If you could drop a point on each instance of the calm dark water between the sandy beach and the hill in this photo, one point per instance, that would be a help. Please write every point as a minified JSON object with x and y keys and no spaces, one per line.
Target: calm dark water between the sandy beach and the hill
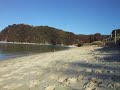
{"x":13,"y":50}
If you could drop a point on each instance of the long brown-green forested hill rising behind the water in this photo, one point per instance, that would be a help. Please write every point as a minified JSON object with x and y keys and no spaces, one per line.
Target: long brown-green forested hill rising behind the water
{"x":44,"y":34}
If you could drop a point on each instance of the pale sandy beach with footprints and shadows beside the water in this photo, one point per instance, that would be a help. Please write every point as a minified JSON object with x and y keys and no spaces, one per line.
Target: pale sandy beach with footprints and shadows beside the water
{"x":79,"y":68}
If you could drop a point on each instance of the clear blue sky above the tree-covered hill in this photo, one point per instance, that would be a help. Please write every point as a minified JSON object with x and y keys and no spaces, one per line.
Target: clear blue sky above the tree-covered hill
{"x":78,"y":16}
